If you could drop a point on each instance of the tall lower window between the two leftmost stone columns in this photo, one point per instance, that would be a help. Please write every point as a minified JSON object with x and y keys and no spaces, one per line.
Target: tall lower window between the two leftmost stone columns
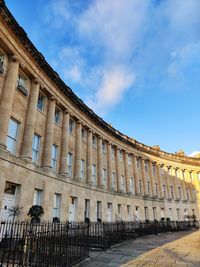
{"x":11,"y":142}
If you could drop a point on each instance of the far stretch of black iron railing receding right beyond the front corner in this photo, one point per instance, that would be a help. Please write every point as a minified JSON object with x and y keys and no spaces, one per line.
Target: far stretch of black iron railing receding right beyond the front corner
{"x":105,"y":235}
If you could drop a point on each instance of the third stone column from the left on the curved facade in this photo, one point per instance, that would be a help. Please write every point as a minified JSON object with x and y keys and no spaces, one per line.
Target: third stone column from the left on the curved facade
{"x":48,"y":142}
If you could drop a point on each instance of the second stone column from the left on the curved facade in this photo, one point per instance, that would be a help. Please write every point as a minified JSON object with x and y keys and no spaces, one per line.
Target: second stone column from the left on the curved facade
{"x":30,"y":121}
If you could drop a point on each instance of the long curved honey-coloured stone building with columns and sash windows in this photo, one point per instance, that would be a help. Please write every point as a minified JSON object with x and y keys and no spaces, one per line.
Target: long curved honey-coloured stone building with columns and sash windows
{"x":56,"y":152}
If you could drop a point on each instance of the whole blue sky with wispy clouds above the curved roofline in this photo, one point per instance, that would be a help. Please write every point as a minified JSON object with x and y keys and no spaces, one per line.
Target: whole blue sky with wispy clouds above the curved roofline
{"x":136,"y":63}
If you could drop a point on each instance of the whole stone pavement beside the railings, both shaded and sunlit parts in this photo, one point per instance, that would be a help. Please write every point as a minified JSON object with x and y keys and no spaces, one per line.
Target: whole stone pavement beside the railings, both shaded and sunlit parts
{"x":177,"y":249}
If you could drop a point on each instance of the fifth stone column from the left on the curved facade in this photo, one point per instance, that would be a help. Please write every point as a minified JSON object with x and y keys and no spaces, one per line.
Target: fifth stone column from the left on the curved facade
{"x":78,"y":151}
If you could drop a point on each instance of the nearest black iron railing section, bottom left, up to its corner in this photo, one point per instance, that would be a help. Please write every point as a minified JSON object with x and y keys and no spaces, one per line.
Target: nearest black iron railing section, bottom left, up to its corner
{"x":46,"y":244}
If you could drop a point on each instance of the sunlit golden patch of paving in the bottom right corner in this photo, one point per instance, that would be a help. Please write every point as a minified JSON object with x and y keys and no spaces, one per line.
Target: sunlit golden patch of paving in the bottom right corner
{"x":184,"y":252}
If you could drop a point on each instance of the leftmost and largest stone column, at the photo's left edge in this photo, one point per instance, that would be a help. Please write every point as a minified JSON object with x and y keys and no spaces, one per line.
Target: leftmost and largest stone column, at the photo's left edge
{"x":7,"y":98}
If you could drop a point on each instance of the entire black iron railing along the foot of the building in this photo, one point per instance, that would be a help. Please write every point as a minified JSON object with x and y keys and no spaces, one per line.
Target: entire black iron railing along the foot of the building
{"x":66,"y":244}
